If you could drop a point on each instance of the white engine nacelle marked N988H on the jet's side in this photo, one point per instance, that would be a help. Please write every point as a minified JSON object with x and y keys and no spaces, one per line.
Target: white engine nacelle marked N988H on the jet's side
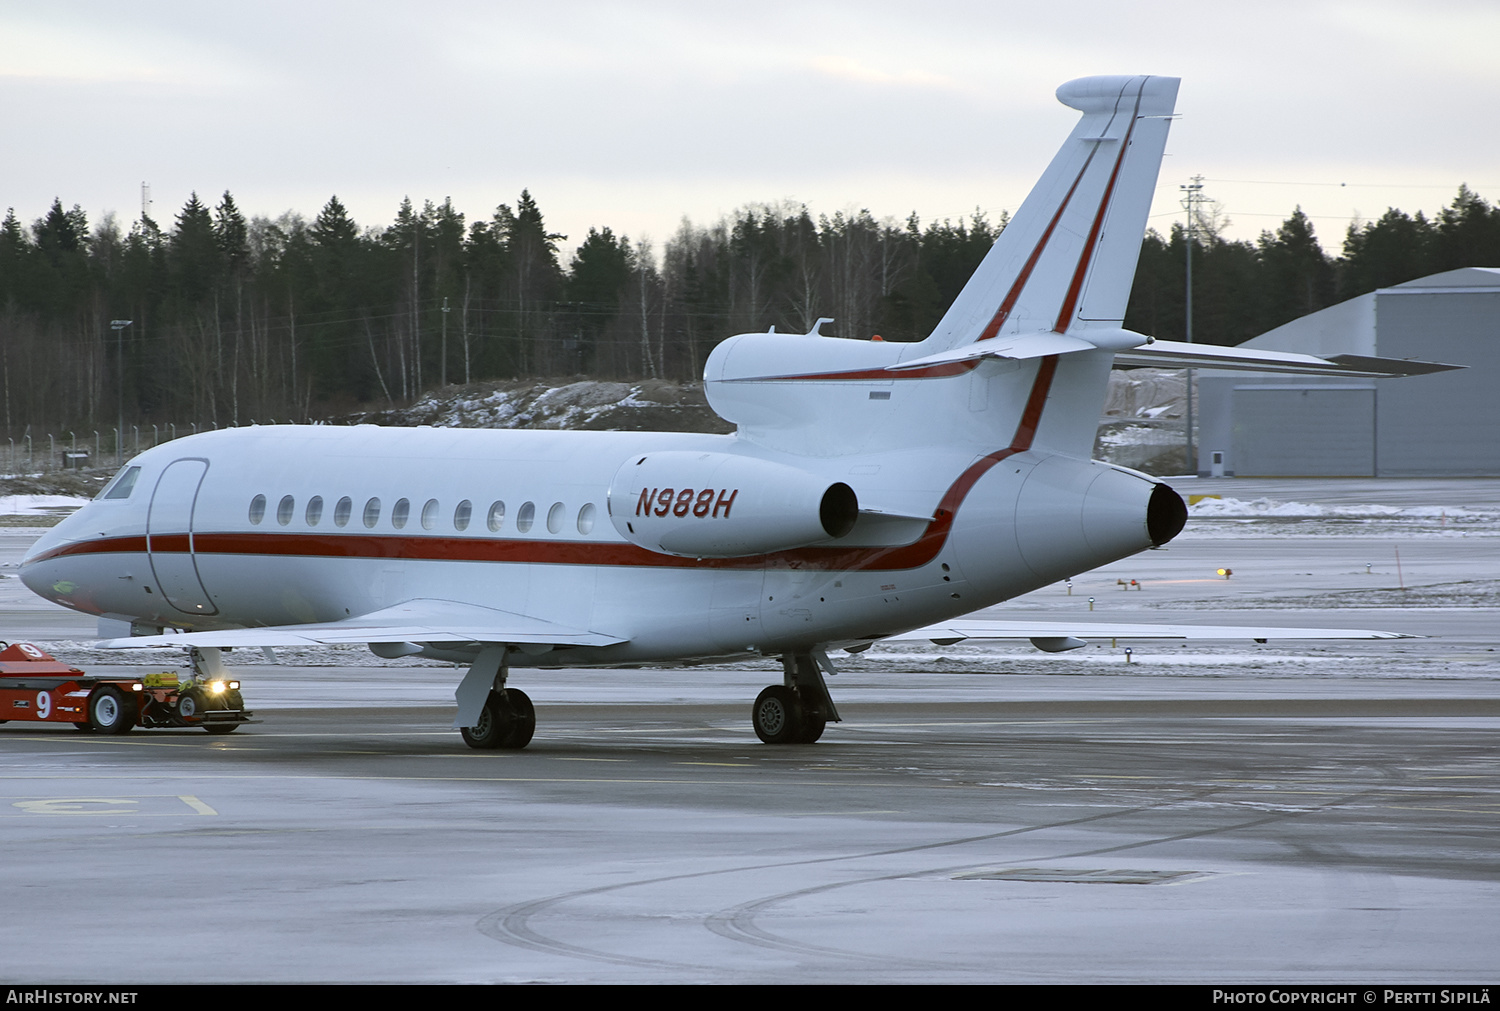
{"x":724,"y":506}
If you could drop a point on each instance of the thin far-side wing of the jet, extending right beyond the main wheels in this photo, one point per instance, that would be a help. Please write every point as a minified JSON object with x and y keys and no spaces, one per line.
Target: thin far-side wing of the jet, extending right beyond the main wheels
{"x":1055,"y":637}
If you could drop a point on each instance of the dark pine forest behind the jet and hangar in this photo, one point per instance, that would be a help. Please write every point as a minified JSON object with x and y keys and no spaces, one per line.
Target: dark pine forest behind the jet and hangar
{"x":236,"y":320}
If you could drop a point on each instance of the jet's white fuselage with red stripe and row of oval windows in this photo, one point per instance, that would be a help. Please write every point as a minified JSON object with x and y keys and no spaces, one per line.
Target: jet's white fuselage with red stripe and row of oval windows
{"x":302,"y":524}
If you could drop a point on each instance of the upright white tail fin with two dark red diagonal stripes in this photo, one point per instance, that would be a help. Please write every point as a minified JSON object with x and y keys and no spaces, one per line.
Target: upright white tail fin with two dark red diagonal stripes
{"x":1067,"y":260}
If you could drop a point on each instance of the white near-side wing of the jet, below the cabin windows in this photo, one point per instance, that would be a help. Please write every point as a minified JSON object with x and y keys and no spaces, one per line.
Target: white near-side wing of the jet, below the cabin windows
{"x":412,"y":622}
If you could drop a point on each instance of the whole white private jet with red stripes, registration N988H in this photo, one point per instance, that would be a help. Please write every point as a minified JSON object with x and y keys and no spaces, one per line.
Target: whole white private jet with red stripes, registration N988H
{"x":872,"y":490}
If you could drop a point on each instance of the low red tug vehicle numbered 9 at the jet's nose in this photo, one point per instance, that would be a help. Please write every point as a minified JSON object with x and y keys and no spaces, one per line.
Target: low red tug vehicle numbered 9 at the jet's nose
{"x":37,"y":688}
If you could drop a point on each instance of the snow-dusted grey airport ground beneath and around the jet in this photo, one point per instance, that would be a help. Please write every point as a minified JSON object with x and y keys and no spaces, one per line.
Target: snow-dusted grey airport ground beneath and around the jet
{"x":1220,"y":814}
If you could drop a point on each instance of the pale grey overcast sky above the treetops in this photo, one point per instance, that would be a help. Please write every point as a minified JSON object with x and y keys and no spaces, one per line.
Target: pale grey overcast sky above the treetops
{"x":637,"y":115}
